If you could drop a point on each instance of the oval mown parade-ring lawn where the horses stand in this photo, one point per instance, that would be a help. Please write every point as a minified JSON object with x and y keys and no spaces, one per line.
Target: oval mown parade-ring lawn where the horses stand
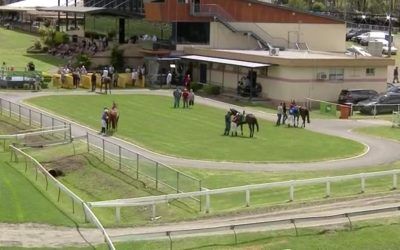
{"x":151,"y":121}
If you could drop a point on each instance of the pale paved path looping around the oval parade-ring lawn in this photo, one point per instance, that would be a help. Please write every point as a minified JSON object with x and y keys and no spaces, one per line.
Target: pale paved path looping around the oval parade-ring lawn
{"x":378,"y":150}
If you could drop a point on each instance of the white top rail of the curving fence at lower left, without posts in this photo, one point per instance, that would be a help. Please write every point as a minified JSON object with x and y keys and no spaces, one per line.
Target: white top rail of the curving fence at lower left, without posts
{"x":71,"y":194}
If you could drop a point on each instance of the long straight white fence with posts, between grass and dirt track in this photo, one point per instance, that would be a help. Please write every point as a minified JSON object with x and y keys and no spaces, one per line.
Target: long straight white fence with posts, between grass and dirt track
{"x":206,"y":193}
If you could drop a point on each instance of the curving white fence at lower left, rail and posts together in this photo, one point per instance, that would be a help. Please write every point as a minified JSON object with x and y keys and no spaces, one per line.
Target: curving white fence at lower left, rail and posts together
{"x":61,"y":189}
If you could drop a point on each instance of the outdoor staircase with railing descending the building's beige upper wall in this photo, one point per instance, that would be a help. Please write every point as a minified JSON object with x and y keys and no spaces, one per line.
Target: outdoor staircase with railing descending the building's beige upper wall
{"x":265,"y":40}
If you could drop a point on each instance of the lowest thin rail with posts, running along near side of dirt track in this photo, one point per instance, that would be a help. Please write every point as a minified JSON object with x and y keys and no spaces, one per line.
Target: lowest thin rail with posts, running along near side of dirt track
{"x":265,"y":225}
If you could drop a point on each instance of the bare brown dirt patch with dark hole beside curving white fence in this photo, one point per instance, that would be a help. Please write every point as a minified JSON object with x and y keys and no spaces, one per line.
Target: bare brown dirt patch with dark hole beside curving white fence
{"x":66,"y":165}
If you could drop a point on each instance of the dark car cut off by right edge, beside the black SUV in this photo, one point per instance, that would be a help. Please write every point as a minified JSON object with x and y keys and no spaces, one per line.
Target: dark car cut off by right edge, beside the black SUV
{"x":386,"y":103}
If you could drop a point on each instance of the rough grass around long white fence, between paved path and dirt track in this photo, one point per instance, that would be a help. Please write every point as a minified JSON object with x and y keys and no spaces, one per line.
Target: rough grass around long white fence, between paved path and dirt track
{"x":91,"y":179}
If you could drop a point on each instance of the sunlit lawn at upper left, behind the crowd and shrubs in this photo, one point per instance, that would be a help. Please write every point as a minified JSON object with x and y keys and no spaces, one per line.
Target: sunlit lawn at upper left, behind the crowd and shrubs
{"x":13,"y":52}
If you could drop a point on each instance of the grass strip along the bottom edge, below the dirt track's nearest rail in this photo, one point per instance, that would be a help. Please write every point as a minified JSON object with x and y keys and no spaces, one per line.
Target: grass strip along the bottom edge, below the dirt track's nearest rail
{"x":370,"y":235}
